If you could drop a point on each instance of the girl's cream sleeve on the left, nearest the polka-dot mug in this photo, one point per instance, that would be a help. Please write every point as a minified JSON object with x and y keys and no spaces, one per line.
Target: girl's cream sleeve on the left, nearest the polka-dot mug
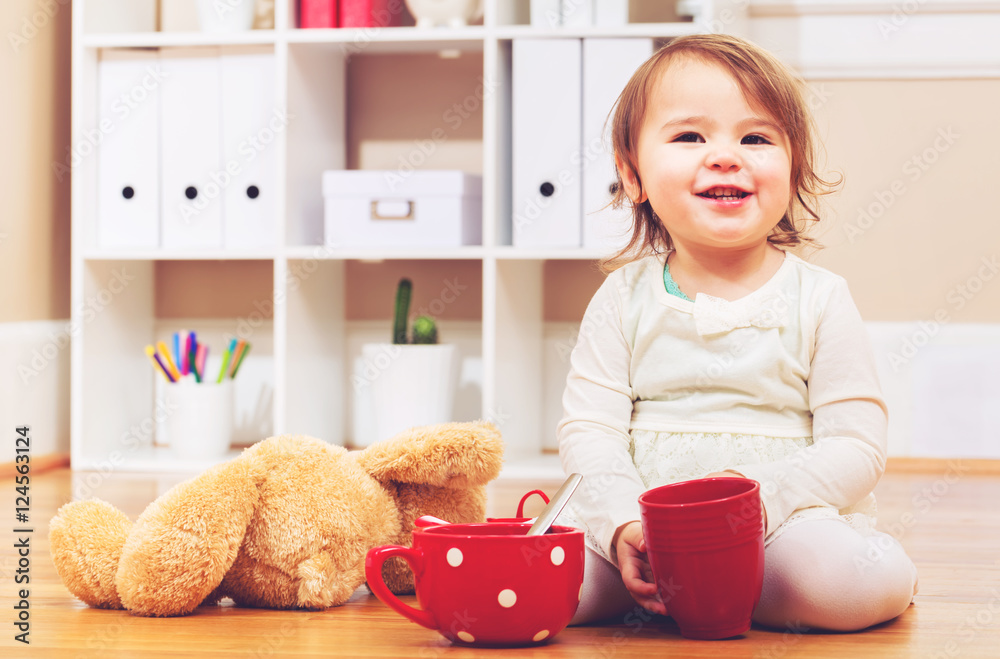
{"x":594,"y":431}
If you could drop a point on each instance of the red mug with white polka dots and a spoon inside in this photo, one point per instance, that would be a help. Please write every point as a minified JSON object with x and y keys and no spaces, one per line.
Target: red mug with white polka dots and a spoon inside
{"x":488,"y":584}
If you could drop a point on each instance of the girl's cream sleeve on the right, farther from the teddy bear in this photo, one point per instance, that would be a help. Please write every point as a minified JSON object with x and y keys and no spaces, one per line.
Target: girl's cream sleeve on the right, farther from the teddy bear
{"x":848,"y":453}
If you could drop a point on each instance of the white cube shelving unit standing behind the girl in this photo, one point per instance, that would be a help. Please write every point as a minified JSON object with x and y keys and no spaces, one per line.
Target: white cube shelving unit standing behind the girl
{"x":113,"y":292}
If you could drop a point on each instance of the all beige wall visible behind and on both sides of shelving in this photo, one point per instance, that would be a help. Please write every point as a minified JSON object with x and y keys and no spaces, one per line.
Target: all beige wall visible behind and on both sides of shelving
{"x":938,"y":225}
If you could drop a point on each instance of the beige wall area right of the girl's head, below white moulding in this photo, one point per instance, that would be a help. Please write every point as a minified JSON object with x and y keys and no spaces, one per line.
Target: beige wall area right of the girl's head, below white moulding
{"x":926,"y":152}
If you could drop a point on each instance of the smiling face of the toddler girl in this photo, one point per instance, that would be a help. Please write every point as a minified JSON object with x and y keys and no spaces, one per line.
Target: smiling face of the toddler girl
{"x":717,"y":173}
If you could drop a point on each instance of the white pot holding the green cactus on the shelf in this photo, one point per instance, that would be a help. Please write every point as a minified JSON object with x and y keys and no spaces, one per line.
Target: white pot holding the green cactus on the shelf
{"x":408,"y":385}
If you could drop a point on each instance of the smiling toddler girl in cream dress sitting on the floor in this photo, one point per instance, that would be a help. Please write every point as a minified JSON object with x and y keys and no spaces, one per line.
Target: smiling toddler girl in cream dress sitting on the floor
{"x":712,"y":351}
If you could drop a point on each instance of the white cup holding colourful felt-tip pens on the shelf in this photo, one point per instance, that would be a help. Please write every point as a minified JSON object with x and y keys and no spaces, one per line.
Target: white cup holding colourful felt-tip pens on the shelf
{"x":199,"y":418}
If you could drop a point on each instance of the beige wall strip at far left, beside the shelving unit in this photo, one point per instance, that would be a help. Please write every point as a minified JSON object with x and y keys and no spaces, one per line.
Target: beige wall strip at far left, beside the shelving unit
{"x":34,"y":116}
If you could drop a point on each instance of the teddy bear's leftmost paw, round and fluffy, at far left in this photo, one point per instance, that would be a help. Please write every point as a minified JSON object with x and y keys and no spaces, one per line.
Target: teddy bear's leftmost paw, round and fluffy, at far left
{"x":86,"y":540}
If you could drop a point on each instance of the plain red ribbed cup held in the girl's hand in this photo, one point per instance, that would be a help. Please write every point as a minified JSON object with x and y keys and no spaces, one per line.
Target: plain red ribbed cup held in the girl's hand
{"x":705,"y":544}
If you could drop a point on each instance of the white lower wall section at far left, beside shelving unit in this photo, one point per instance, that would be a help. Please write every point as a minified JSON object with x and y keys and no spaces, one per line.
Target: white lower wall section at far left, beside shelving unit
{"x":35,"y":390}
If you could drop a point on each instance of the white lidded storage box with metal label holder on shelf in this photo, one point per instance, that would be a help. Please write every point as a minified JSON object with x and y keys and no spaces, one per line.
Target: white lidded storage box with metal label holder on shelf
{"x":391,"y":209}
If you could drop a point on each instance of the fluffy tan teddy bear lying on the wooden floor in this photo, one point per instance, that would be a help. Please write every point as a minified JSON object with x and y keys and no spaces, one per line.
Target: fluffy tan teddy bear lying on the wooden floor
{"x":285,"y":525}
